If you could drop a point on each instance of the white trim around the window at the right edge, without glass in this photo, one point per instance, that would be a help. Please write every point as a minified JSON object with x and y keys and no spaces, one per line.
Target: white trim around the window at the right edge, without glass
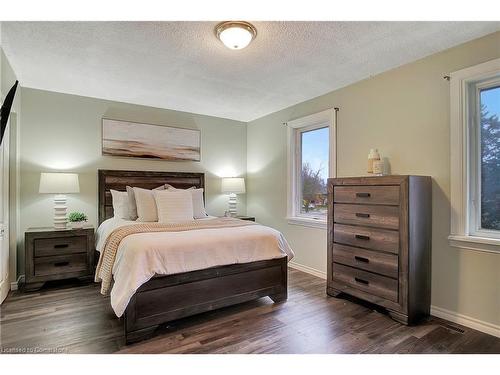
{"x":461,"y":156}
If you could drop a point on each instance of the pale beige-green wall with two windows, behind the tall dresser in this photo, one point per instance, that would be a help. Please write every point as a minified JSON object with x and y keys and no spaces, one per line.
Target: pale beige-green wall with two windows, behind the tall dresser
{"x":405,"y":114}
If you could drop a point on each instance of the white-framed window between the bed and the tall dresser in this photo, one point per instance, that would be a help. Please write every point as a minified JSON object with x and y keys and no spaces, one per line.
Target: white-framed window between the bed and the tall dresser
{"x":310,"y":162}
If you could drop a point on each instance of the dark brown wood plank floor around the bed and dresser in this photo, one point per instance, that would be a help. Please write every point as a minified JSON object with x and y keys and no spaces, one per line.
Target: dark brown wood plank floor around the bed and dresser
{"x":75,"y":318}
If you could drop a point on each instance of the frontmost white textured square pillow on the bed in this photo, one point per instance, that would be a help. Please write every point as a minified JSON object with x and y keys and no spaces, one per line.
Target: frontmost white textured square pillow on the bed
{"x":174,"y":206}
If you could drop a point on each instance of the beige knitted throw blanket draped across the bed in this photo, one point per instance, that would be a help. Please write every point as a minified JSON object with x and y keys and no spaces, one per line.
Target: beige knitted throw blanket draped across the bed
{"x":108,"y":255}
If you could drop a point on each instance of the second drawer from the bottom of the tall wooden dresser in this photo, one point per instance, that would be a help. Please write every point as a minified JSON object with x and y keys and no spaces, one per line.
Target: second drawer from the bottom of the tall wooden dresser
{"x":368,"y":260}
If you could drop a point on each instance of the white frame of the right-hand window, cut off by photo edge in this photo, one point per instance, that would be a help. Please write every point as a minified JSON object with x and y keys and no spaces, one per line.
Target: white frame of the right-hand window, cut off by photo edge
{"x":465,"y":158}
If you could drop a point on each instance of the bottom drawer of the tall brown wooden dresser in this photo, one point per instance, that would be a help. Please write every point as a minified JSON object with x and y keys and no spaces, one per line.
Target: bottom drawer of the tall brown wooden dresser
{"x":381,"y":286}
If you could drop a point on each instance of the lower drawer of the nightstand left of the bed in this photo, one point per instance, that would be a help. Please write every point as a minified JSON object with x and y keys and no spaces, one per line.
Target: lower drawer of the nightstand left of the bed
{"x":55,"y":265}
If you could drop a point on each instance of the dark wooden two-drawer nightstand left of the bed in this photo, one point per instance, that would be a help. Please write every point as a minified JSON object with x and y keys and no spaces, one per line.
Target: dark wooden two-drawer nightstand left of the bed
{"x":56,"y":254}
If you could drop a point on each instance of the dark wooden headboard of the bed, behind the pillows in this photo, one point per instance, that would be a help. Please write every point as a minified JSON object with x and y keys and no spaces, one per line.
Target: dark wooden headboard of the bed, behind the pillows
{"x":119,"y":180}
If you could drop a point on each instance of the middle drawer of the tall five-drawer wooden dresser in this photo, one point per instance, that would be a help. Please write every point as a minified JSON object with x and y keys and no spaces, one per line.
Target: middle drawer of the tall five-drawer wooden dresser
{"x":370,"y":238}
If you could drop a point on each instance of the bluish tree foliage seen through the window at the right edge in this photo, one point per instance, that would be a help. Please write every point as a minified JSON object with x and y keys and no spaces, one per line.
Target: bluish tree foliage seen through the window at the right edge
{"x":490,"y":170}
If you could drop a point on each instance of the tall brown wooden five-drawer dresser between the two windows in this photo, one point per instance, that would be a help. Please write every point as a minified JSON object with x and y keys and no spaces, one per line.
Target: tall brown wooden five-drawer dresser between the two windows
{"x":379,"y":242}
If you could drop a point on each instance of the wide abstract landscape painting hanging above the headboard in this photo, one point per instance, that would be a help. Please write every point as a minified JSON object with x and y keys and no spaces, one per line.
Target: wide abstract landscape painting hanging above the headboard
{"x":132,"y":139}
